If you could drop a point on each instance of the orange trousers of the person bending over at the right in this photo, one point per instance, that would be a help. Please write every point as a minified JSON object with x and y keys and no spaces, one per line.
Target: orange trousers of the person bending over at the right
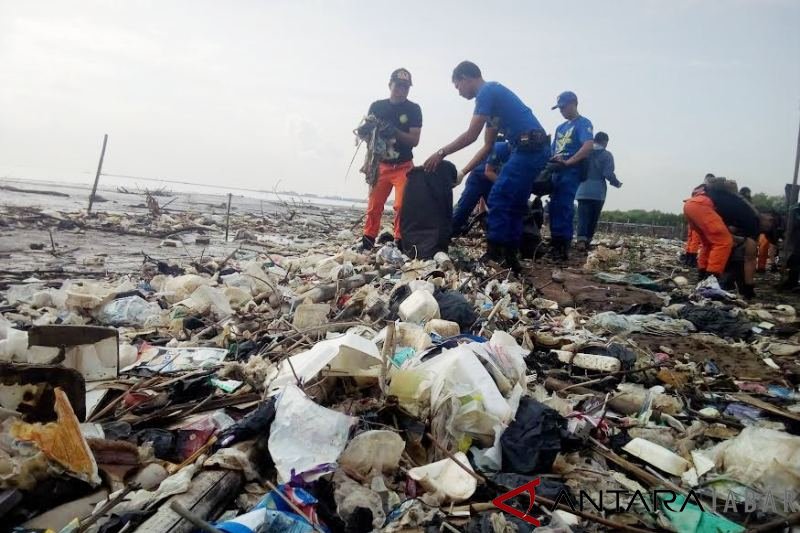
{"x":716,"y":242}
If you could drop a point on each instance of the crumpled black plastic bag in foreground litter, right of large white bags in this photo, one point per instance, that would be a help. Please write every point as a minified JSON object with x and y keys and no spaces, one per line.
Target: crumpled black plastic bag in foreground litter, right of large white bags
{"x":532,"y":441}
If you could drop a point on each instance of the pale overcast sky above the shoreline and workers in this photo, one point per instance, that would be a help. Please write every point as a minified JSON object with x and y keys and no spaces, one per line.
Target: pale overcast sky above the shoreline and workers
{"x":250,"y":93}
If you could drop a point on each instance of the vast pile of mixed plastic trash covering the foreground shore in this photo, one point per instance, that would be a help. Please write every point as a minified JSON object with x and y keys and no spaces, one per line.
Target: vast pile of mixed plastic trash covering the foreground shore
{"x":325,"y":390}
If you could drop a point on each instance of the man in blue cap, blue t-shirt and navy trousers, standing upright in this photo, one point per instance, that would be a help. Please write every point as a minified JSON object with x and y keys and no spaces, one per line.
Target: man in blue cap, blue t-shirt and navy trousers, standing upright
{"x":572,"y":144}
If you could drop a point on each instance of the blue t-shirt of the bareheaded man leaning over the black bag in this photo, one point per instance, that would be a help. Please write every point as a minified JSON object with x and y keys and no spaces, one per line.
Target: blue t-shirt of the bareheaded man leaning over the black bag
{"x":505,"y":110}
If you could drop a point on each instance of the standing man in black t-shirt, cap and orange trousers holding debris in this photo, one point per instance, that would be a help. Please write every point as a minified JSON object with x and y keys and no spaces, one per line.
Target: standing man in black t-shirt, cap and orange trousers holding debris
{"x":406,"y":117}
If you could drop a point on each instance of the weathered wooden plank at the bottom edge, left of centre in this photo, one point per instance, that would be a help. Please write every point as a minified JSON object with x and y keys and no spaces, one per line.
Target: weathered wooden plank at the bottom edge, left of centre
{"x":209,"y":493}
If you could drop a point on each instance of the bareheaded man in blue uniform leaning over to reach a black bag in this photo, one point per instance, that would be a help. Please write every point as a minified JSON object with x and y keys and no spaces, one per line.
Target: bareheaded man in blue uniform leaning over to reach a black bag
{"x":499,"y":109}
